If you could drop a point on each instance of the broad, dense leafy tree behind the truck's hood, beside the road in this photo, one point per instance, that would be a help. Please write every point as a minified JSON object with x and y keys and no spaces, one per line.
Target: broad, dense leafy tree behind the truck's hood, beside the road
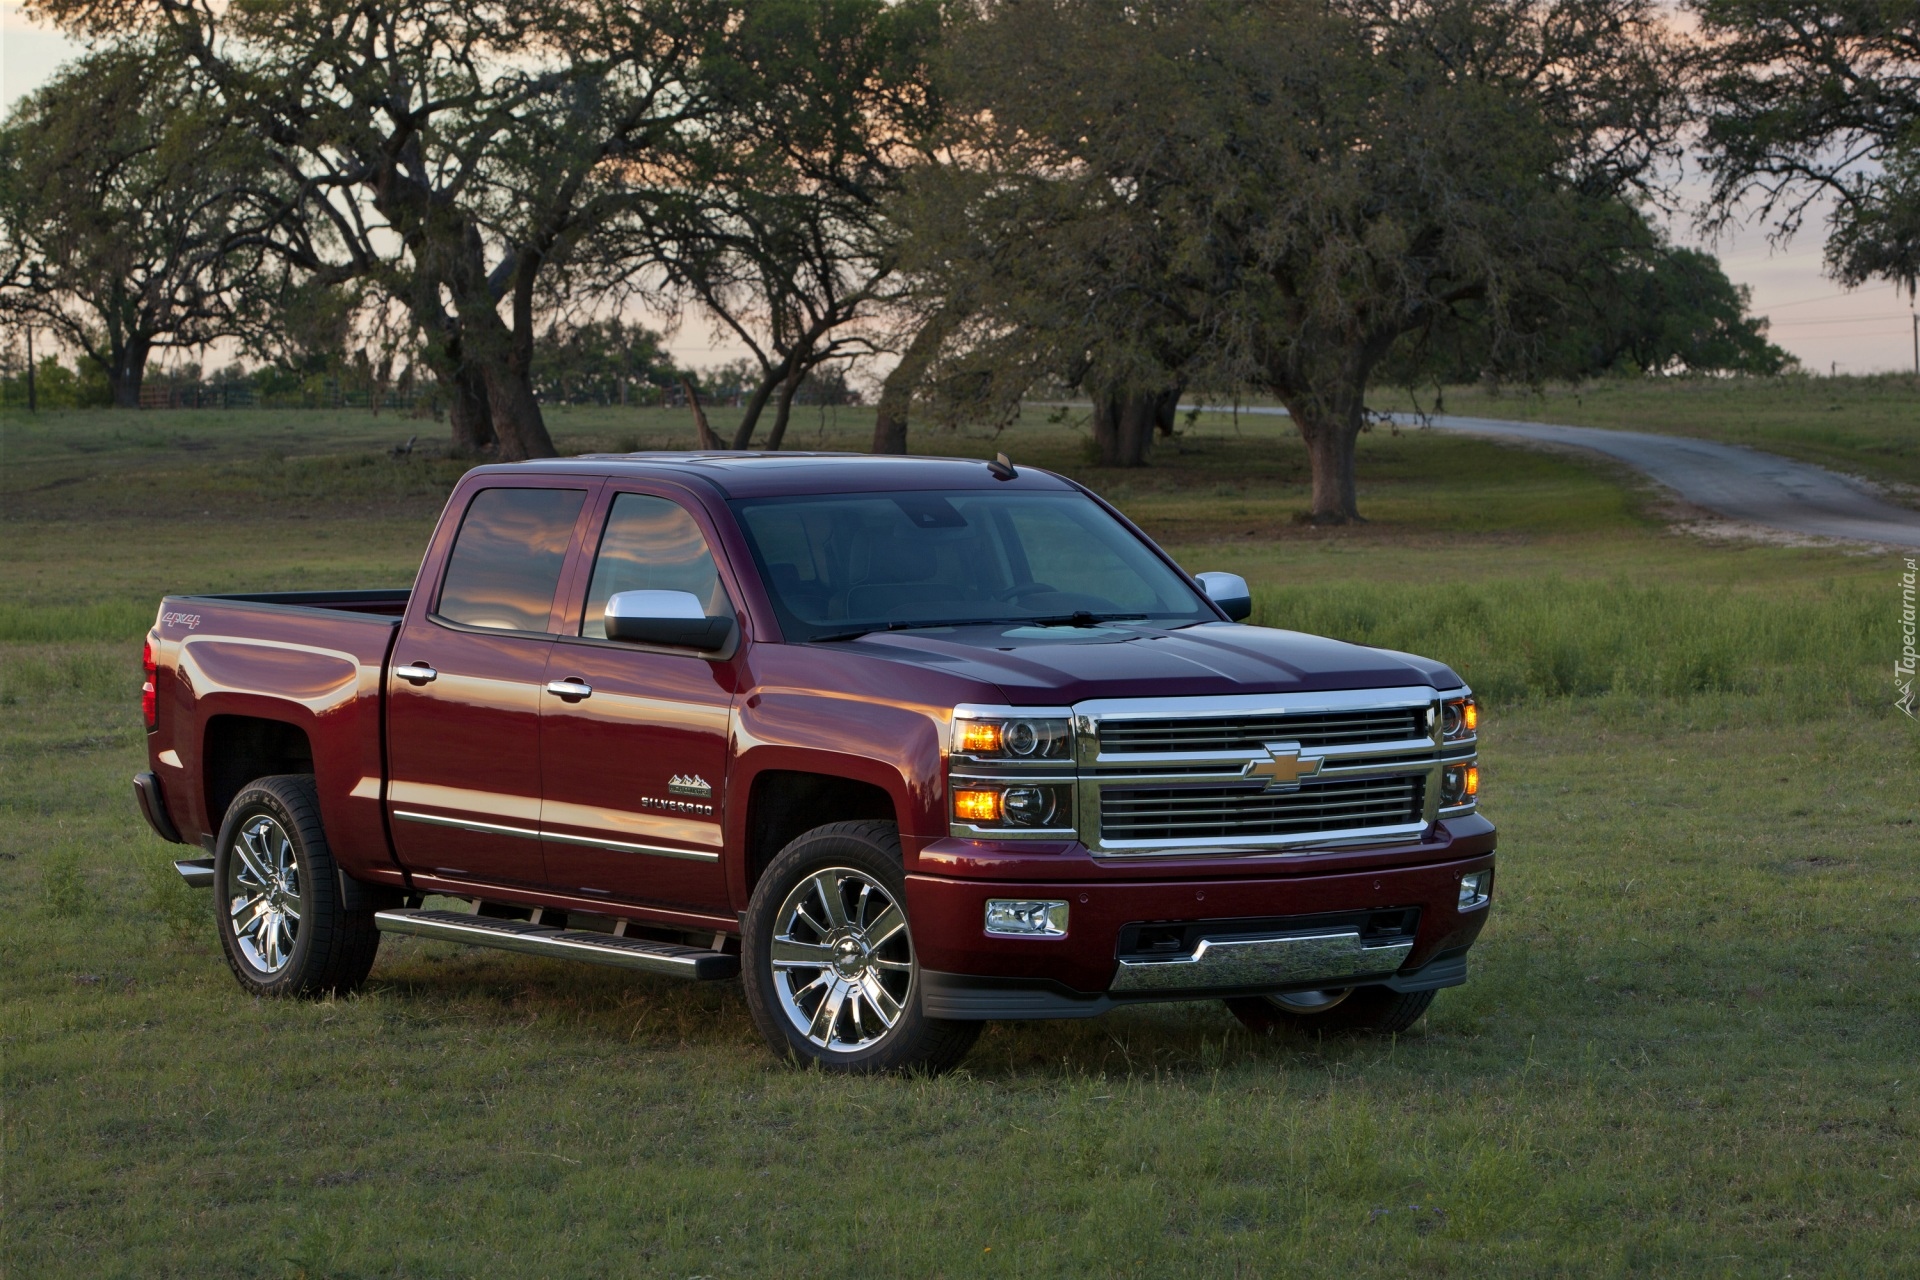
{"x":1280,"y":193}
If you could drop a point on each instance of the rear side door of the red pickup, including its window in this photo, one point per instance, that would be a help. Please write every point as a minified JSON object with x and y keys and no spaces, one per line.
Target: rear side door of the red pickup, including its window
{"x":466,"y":692}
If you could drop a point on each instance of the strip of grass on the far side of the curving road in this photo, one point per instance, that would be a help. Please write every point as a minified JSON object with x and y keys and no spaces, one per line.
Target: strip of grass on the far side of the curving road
{"x":1863,"y":427}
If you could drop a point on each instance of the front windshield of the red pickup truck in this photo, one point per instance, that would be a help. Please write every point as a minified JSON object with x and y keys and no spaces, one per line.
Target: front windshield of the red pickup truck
{"x":852,"y":563}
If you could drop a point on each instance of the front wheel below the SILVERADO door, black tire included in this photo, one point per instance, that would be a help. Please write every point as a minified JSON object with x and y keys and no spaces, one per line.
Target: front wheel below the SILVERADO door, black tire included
{"x":863,"y":861}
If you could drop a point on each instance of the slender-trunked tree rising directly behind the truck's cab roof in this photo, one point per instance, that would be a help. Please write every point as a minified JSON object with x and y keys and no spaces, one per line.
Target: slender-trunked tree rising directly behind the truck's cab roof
{"x":779,"y":231}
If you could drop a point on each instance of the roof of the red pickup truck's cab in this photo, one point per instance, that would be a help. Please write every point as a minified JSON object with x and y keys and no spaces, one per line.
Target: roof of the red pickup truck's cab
{"x":777,"y":475}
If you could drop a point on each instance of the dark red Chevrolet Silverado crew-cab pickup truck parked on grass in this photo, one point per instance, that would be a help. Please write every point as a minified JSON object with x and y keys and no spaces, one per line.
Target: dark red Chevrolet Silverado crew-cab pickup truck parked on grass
{"x":903,"y":744}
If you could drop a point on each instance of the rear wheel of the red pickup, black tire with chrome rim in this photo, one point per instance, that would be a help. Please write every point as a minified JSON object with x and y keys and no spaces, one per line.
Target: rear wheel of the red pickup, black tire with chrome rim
{"x":325,"y":949}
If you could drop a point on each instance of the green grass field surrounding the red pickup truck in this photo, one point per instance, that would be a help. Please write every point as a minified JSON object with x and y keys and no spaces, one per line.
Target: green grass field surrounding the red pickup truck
{"x":1689,"y":1047}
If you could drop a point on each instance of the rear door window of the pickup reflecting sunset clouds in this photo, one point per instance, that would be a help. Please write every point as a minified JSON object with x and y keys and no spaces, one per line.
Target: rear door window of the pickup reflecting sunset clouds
{"x":508,"y":559}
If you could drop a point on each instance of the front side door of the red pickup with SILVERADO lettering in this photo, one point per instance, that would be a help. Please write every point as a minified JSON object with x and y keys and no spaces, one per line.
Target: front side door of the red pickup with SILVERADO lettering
{"x":635,"y":759}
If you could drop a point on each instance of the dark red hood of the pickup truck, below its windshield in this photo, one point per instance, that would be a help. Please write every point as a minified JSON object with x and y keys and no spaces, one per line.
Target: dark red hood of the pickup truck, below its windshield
{"x":1059,"y":667}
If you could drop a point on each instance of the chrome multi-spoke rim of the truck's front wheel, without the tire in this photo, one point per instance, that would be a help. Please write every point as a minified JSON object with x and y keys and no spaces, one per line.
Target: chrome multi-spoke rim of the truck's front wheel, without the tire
{"x":844,"y":960}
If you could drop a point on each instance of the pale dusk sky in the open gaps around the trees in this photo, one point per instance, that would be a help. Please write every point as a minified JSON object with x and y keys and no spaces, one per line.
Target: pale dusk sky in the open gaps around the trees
{"x":1829,"y":329}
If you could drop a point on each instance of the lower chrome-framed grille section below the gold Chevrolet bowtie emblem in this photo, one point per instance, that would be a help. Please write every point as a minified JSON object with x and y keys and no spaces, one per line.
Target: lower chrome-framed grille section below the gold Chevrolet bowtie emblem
{"x":1241,"y":813}
